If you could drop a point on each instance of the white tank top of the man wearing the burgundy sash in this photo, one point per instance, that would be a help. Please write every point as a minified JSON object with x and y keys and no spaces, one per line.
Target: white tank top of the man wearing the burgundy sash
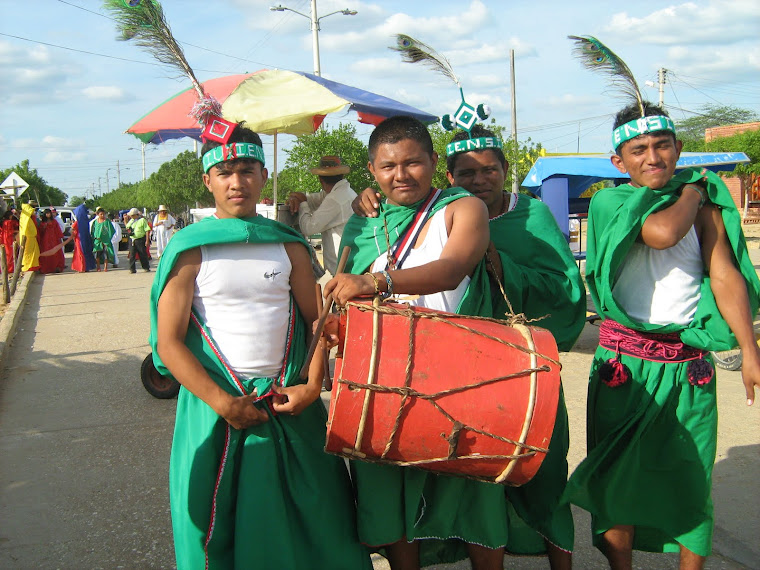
{"x":661,"y":286}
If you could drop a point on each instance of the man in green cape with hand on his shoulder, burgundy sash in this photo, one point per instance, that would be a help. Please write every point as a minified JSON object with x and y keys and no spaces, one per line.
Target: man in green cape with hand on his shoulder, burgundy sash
{"x":668,"y":270}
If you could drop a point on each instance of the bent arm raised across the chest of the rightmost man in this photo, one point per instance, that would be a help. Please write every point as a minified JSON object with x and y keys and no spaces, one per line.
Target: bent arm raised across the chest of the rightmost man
{"x":667,"y":227}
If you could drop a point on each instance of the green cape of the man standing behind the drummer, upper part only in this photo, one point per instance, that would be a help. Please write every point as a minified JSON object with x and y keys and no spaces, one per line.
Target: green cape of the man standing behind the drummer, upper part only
{"x":540,"y":275}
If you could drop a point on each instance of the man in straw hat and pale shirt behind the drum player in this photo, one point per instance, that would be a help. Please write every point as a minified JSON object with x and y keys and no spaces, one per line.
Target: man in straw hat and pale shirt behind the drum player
{"x":326,"y":212}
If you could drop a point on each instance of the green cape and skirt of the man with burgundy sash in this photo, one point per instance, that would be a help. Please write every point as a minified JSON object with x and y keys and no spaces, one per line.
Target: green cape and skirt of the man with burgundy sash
{"x":652,"y":441}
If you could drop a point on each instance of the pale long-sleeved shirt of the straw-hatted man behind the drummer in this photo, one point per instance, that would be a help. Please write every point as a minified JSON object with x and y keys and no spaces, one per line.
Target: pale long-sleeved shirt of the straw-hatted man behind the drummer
{"x":327,"y":213}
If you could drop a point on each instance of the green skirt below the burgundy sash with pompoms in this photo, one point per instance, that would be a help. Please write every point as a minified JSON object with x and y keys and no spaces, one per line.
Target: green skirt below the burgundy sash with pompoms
{"x":651,"y":449}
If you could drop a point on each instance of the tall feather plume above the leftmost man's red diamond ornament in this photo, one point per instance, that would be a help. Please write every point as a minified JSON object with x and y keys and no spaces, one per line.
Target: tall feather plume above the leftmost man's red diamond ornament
{"x":143,"y":22}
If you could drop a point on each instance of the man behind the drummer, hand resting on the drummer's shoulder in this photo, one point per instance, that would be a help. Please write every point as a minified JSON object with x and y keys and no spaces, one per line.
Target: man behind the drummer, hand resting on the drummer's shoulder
{"x":541,"y":279}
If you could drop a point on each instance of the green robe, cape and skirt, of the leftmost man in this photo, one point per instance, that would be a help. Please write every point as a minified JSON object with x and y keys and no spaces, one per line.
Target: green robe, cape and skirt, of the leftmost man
{"x":266,"y":496}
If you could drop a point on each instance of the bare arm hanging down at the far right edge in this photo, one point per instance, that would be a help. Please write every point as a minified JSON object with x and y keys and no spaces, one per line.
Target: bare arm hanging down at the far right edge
{"x":730,"y":292}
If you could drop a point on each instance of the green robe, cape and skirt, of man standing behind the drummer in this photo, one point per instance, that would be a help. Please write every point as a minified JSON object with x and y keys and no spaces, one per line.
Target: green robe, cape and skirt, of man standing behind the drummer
{"x":540,"y":277}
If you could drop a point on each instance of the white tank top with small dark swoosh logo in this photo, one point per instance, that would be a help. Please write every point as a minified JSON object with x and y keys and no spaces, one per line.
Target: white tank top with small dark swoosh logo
{"x":242,"y":293}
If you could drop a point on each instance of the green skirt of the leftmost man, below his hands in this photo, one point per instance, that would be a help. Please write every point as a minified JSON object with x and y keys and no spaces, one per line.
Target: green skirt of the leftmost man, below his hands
{"x":263,"y":497}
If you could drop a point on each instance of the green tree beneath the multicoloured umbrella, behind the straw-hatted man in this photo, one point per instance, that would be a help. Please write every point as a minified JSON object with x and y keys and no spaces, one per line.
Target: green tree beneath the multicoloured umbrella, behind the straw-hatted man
{"x":306,"y":152}
